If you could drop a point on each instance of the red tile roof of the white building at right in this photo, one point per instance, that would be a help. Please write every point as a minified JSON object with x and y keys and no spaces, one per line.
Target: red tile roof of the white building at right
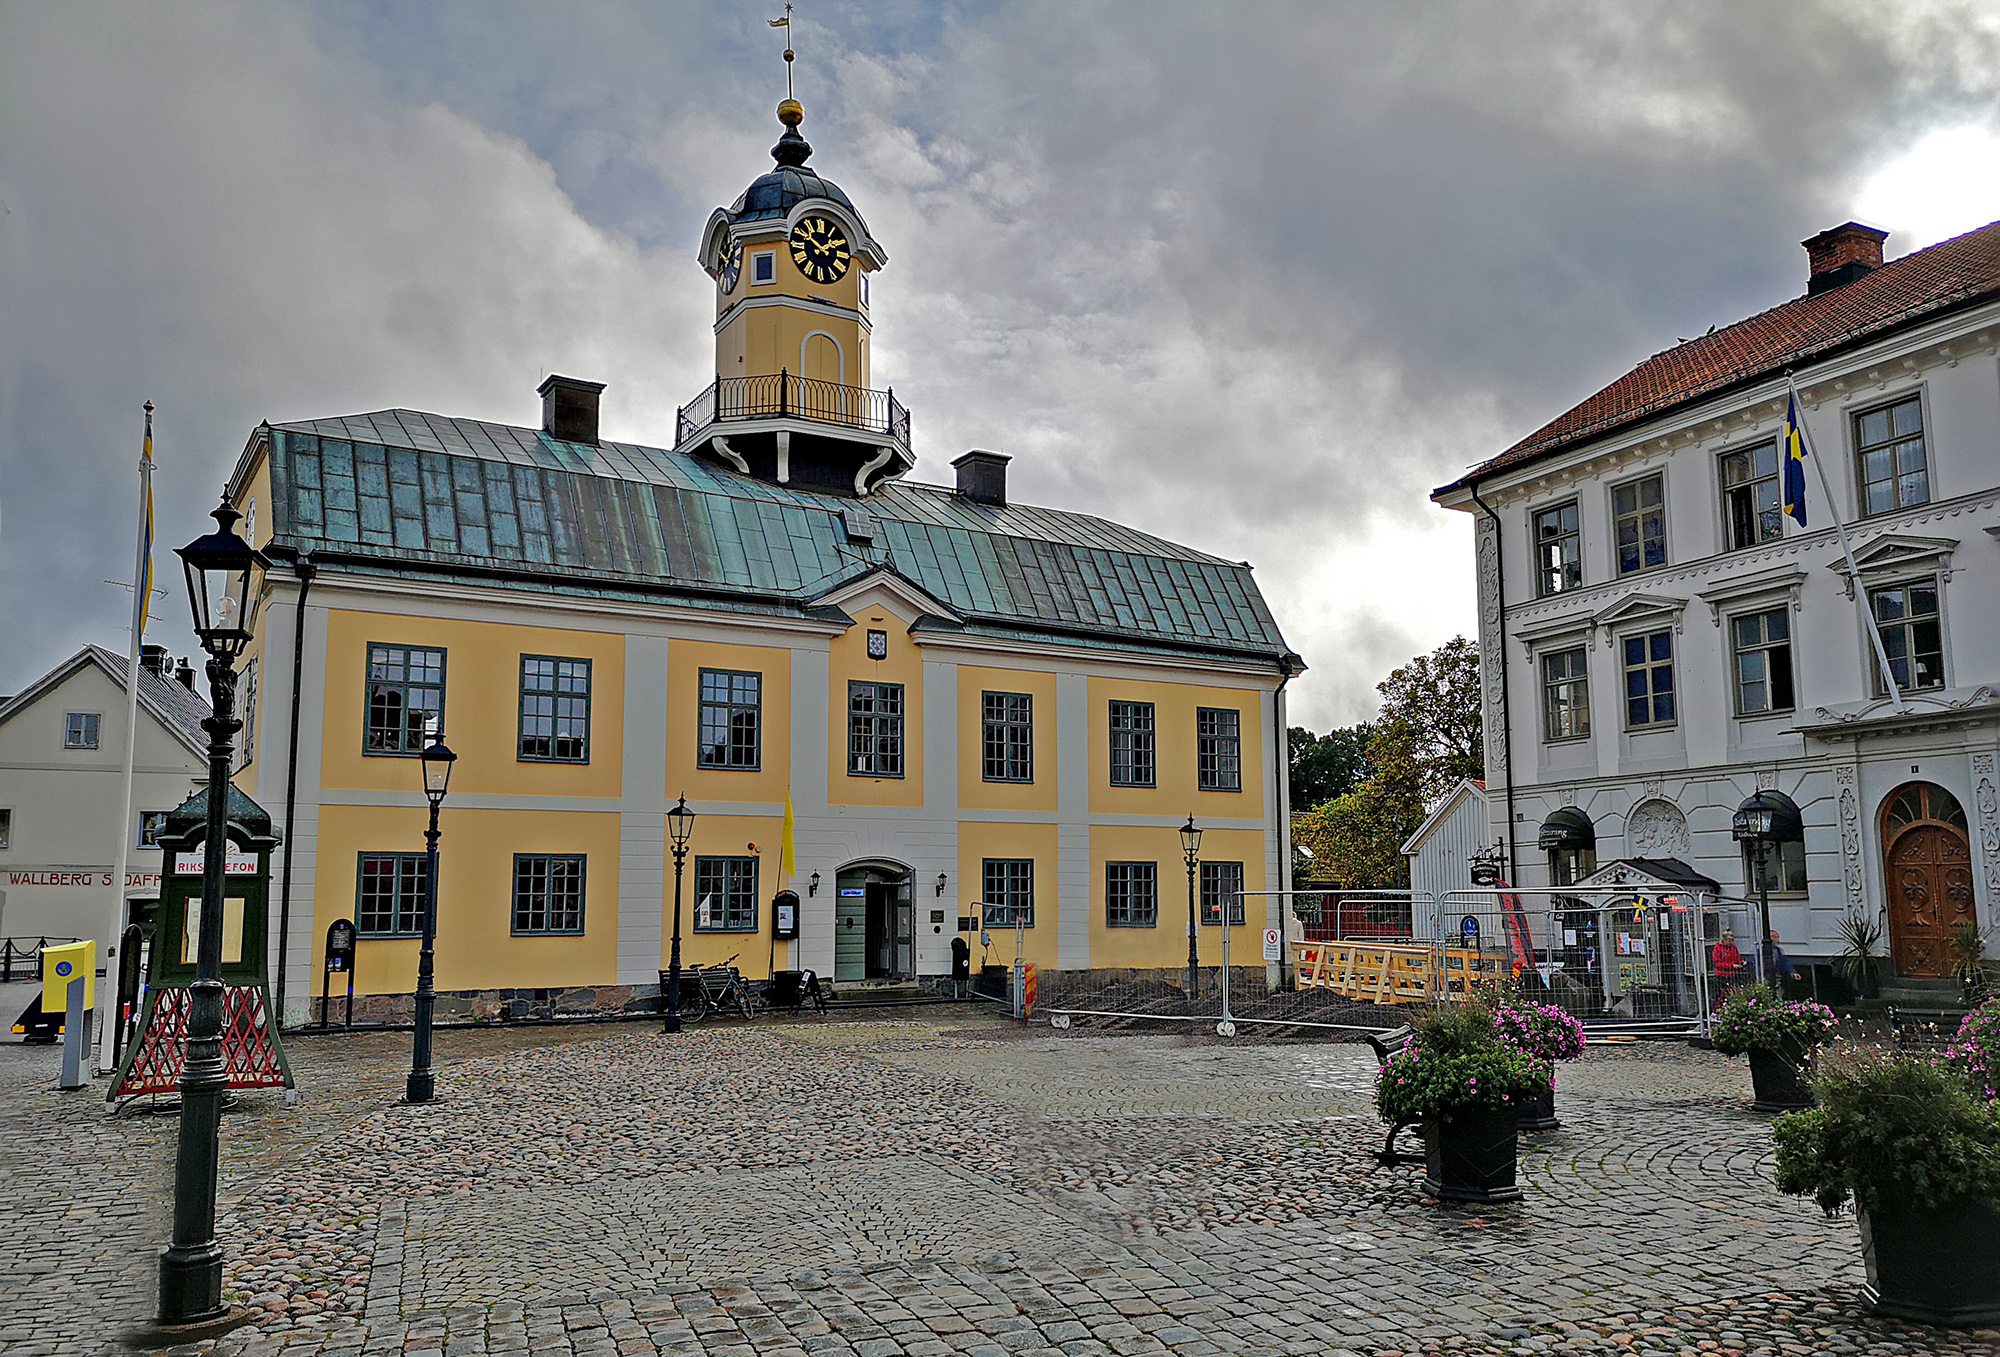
{"x":1899,"y":293}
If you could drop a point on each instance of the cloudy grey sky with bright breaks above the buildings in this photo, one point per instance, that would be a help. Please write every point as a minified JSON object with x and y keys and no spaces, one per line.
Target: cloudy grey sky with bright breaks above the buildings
{"x":1251,"y":277}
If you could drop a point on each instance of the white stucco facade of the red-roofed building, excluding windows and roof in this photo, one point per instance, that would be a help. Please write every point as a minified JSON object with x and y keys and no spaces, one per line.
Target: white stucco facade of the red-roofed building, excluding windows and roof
{"x":1839,"y":748}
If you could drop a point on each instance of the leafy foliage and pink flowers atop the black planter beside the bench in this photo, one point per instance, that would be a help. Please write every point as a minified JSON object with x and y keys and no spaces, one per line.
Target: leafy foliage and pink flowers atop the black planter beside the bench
{"x":1459,"y":1064}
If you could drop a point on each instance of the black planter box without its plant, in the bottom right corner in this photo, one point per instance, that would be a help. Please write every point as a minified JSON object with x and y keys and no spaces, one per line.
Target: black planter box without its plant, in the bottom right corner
{"x":1935,"y":1266}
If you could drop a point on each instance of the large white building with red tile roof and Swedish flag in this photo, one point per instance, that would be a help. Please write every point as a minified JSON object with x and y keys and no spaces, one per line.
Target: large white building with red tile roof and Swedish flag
{"x":1661,"y":641}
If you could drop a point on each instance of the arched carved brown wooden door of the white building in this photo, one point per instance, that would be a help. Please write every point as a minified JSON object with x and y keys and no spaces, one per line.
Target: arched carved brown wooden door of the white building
{"x":1929,"y":864}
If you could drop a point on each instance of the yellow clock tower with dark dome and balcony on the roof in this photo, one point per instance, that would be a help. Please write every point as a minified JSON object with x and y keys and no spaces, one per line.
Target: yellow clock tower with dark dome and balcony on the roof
{"x":793,"y":397}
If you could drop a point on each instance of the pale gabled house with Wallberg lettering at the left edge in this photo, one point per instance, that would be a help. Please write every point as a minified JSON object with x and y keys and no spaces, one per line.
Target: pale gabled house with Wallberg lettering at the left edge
{"x":63,"y":794}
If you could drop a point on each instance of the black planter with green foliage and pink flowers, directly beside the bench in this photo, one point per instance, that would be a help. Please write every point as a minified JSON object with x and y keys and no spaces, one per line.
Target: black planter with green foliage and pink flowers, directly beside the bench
{"x":1465,"y":1084}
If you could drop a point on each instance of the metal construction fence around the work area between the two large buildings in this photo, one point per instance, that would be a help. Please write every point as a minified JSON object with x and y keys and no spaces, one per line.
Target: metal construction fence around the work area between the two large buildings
{"x":1623,"y":960}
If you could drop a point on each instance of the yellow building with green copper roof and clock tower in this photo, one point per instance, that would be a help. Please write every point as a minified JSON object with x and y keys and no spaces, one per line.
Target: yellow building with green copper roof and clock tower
{"x":977,"y":710}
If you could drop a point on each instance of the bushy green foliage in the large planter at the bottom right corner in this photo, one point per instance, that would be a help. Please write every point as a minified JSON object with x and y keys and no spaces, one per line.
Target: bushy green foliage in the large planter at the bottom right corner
{"x":1891,"y":1128}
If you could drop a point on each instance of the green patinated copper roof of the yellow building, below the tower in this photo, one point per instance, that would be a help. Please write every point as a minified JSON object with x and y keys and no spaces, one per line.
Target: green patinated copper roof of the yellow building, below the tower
{"x":431,"y":493}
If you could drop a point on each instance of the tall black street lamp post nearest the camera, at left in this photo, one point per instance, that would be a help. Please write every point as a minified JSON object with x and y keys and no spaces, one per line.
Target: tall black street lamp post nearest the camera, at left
{"x":221,"y":569}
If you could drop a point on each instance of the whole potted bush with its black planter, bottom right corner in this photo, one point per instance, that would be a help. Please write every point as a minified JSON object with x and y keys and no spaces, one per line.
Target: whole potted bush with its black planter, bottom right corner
{"x":1919,"y":1152}
